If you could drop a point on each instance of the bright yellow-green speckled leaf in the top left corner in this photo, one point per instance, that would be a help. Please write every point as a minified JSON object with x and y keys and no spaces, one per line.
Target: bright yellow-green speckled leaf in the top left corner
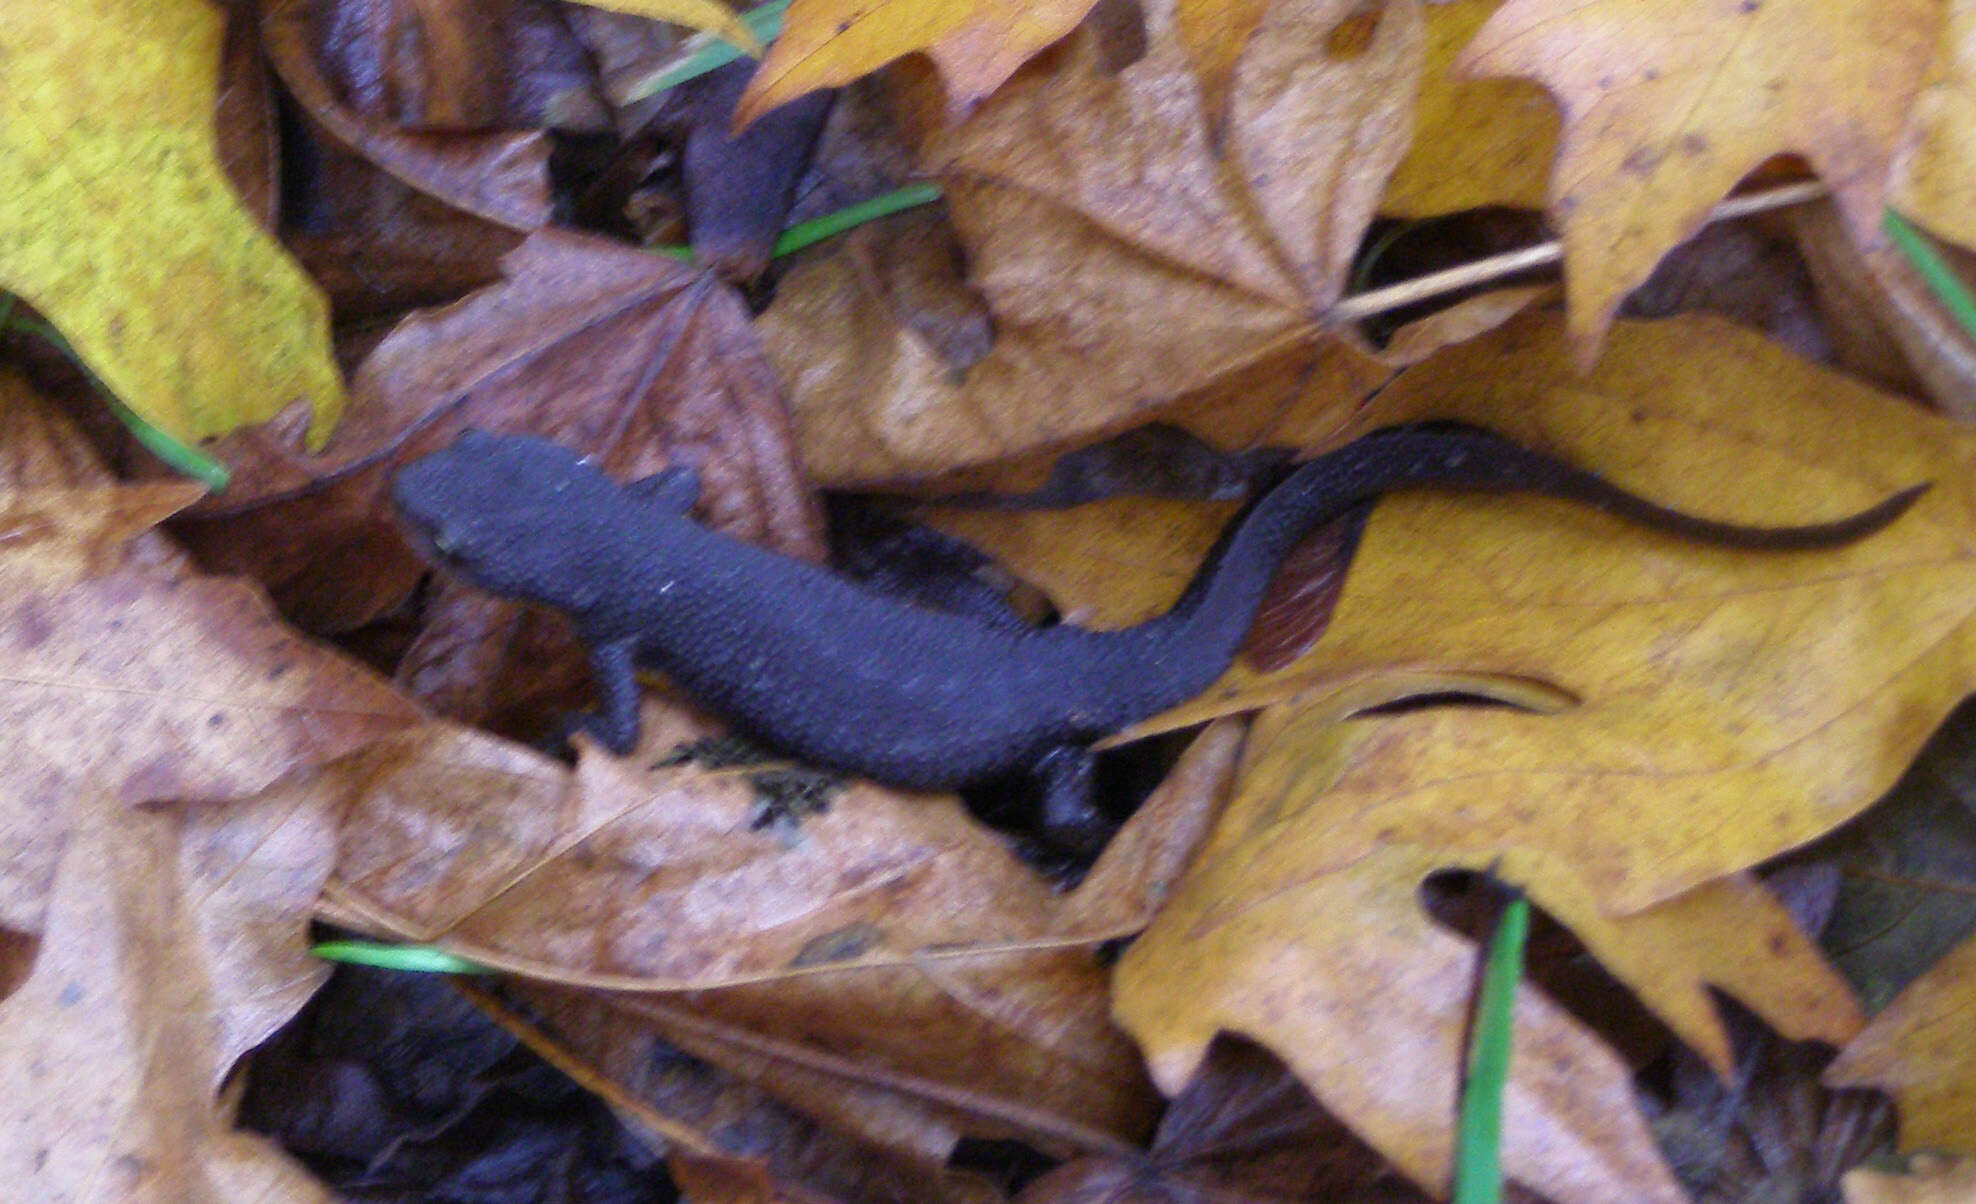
{"x":123,"y":230}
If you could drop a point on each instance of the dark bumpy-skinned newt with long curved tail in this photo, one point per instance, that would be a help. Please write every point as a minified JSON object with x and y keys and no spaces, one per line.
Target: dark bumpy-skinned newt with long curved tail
{"x":910,"y":697}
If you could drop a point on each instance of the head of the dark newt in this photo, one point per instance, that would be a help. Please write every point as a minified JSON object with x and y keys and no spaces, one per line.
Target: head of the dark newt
{"x":509,"y":513}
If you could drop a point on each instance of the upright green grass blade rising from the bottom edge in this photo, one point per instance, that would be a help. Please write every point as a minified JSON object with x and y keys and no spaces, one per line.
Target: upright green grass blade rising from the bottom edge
{"x":1479,"y":1142}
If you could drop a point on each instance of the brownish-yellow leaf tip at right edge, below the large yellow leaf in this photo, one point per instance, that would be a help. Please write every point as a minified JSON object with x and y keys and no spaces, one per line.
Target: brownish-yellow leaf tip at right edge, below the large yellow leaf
{"x":1920,"y":1053}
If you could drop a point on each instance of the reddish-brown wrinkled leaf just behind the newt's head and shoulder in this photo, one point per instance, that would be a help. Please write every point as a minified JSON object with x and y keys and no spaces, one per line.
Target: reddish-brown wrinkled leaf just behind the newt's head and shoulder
{"x":616,"y":353}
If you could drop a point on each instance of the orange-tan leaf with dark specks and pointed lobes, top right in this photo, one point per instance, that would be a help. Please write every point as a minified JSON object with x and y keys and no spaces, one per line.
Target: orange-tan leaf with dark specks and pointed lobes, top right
{"x":1667,"y":106}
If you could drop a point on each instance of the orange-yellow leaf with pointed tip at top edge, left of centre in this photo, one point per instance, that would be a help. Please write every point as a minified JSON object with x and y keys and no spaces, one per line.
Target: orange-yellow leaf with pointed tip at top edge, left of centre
{"x":975,"y":43}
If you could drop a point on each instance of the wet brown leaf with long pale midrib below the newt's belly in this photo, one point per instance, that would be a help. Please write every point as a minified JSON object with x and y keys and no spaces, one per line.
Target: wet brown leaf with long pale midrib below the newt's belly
{"x":857,"y":934}
